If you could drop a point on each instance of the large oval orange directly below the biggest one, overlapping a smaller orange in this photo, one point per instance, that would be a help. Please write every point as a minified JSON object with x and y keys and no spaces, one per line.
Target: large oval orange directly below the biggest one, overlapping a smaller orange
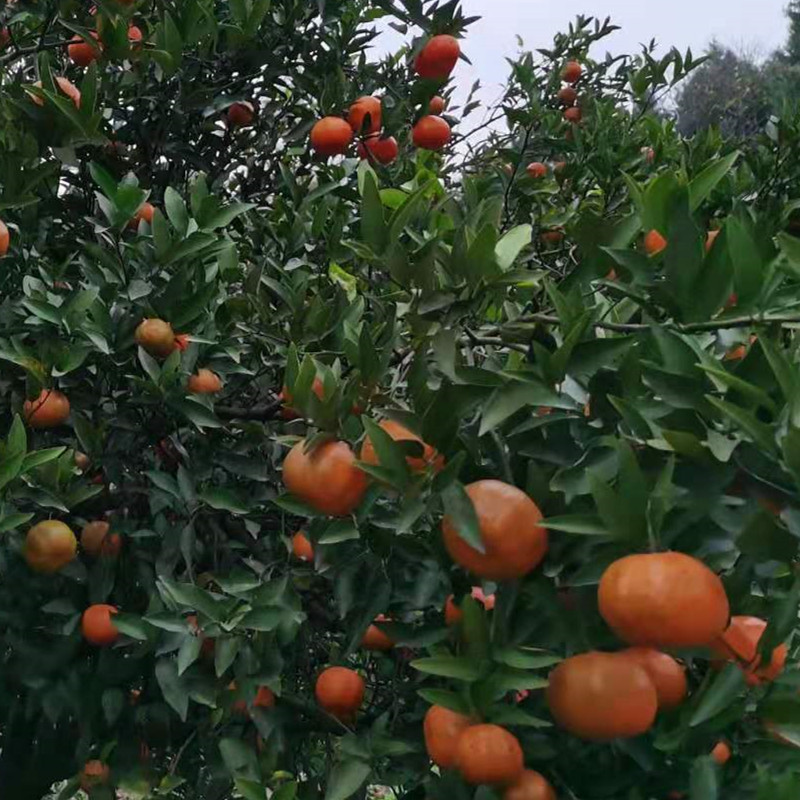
{"x":601,"y":696}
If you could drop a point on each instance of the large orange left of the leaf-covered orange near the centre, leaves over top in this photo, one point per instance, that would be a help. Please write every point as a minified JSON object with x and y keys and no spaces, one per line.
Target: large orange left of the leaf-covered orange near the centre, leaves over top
{"x":326,"y":478}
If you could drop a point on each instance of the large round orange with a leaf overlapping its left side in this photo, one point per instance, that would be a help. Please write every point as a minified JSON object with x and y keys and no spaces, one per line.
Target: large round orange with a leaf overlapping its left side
{"x":514,"y":541}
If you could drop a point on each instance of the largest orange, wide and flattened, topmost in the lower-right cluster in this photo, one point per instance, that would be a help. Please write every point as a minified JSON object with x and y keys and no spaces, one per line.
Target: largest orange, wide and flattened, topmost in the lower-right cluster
{"x":663,"y":600}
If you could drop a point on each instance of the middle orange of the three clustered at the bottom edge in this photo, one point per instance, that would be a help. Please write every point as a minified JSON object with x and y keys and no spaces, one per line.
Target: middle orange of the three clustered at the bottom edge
{"x":489,"y":754}
